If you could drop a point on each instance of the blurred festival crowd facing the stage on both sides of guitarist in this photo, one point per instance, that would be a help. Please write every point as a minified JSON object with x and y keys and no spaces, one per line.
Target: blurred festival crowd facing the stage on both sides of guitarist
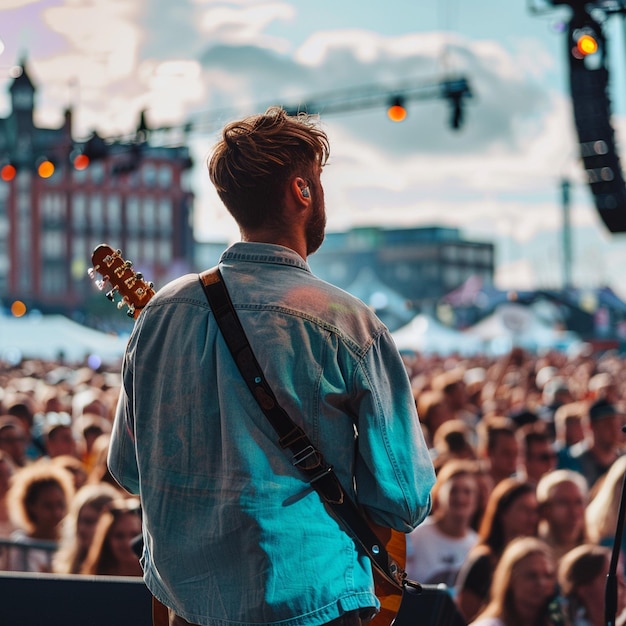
{"x":528,"y":450}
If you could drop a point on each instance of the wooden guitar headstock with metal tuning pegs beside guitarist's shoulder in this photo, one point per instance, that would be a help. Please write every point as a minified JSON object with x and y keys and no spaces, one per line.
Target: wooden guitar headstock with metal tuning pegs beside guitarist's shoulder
{"x":130,"y":286}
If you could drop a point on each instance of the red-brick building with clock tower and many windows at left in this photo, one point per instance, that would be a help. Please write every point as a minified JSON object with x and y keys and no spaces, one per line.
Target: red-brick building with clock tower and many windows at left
{"x":132,"y":195}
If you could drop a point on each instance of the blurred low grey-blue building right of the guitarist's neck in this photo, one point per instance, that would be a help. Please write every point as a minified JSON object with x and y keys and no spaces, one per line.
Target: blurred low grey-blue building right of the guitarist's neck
{"x":420,"y":264}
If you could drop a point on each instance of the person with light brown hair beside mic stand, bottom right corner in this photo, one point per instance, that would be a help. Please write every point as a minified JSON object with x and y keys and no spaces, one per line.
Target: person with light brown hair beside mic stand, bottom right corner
{"x":582,"y":578}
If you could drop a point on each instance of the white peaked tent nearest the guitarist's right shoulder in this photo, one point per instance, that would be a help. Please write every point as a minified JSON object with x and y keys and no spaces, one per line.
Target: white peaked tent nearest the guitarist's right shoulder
{"x":425,"y":334}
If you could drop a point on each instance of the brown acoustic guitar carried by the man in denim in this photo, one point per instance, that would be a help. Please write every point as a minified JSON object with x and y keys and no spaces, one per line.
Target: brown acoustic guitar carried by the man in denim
{"x":129,"y":289}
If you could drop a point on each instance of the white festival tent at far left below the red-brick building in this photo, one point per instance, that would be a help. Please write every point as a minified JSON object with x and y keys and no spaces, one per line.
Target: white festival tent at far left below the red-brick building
{"x":50,"y":337}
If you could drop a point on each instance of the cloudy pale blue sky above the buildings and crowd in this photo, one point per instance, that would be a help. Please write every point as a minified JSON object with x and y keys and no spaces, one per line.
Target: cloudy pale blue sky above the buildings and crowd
{"x":201,"y":63}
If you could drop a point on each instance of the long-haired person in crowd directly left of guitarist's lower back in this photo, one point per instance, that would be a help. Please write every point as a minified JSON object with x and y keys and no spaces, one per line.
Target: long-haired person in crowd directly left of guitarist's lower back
{"x":111,"y":552}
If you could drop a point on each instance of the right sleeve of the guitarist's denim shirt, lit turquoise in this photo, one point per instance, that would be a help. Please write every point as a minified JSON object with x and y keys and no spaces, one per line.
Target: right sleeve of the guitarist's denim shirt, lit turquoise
{"x":393,"y":471}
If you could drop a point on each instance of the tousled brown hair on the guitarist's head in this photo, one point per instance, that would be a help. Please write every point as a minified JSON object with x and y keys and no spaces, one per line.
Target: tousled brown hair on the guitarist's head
{"x":255,"y":158}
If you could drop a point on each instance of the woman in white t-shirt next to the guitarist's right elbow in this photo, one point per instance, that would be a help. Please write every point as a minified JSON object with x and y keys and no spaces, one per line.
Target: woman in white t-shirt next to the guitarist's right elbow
{"x":437,"y":548}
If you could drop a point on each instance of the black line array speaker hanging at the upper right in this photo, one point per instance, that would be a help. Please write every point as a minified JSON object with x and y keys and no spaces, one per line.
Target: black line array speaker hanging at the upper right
{"x":589,"y":82}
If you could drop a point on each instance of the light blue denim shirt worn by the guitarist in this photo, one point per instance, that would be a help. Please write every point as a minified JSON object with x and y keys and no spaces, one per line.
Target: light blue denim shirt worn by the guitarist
{"x":233,"y":535}
